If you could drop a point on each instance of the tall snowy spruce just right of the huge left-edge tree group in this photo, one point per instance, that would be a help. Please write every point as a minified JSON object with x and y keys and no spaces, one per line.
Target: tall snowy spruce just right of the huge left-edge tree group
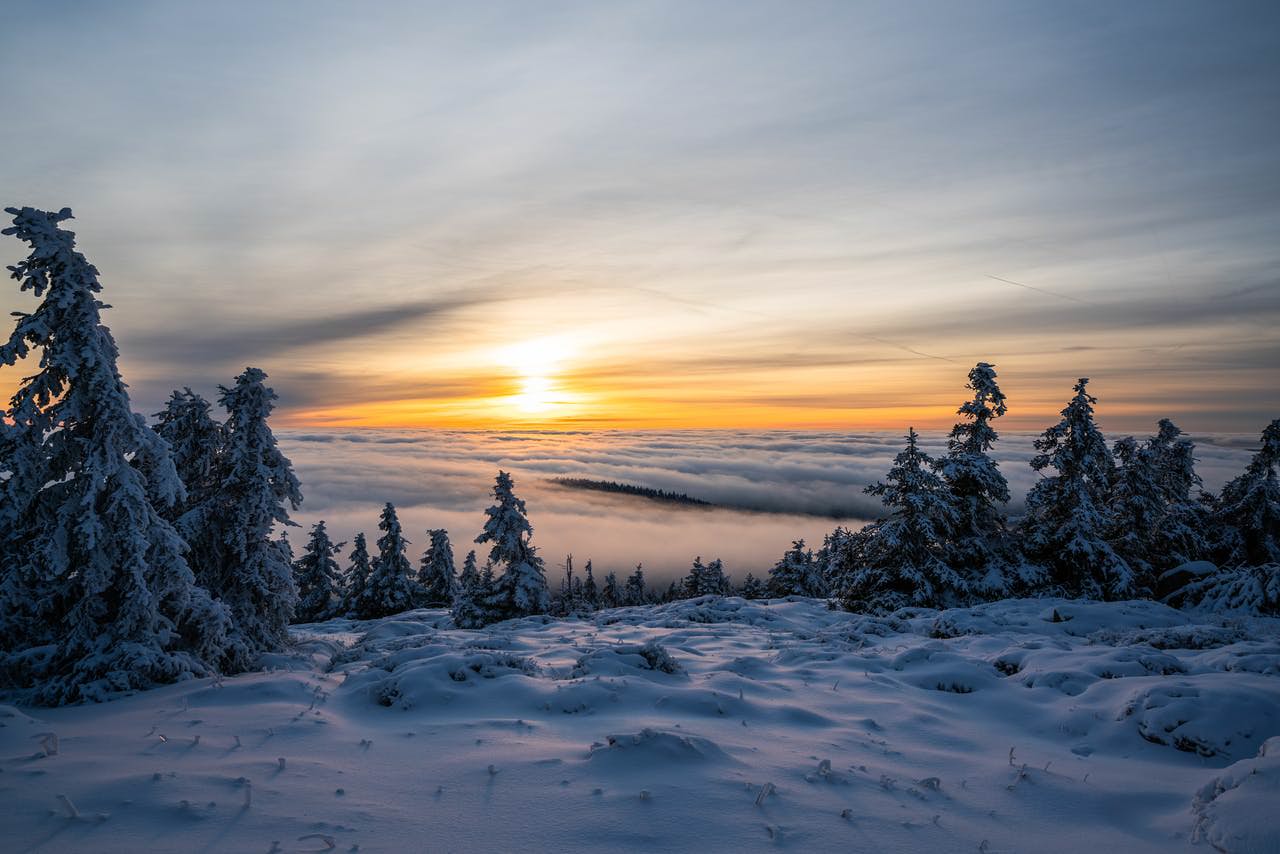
{"x":244,"y":568}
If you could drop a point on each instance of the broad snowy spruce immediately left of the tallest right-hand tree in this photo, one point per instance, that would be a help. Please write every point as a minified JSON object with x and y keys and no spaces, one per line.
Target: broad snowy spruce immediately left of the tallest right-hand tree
{"x":904,"y":558}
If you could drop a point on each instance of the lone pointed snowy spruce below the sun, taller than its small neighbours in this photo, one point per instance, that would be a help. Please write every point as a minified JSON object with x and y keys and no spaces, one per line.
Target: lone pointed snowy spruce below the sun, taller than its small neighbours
{"x":522,"y":590}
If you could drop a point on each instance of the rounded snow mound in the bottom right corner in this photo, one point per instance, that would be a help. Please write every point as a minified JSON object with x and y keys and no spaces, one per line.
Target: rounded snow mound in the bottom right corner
{"x":1236,"y":810}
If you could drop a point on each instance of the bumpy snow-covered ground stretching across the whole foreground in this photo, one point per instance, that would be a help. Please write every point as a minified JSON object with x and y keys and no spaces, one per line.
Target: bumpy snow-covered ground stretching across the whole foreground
{"x":712,"y":725}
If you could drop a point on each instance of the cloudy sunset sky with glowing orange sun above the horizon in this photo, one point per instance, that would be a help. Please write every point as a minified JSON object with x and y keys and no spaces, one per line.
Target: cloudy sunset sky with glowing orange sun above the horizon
{"x":783,"y":216}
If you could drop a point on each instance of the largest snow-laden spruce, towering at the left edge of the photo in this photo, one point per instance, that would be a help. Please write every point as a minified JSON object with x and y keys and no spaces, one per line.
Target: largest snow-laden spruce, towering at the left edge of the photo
{"x":95,"y":593}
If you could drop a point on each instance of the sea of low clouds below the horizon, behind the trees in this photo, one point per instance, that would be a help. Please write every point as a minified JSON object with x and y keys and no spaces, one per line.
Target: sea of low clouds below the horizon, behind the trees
{"x":774,"y":487}
